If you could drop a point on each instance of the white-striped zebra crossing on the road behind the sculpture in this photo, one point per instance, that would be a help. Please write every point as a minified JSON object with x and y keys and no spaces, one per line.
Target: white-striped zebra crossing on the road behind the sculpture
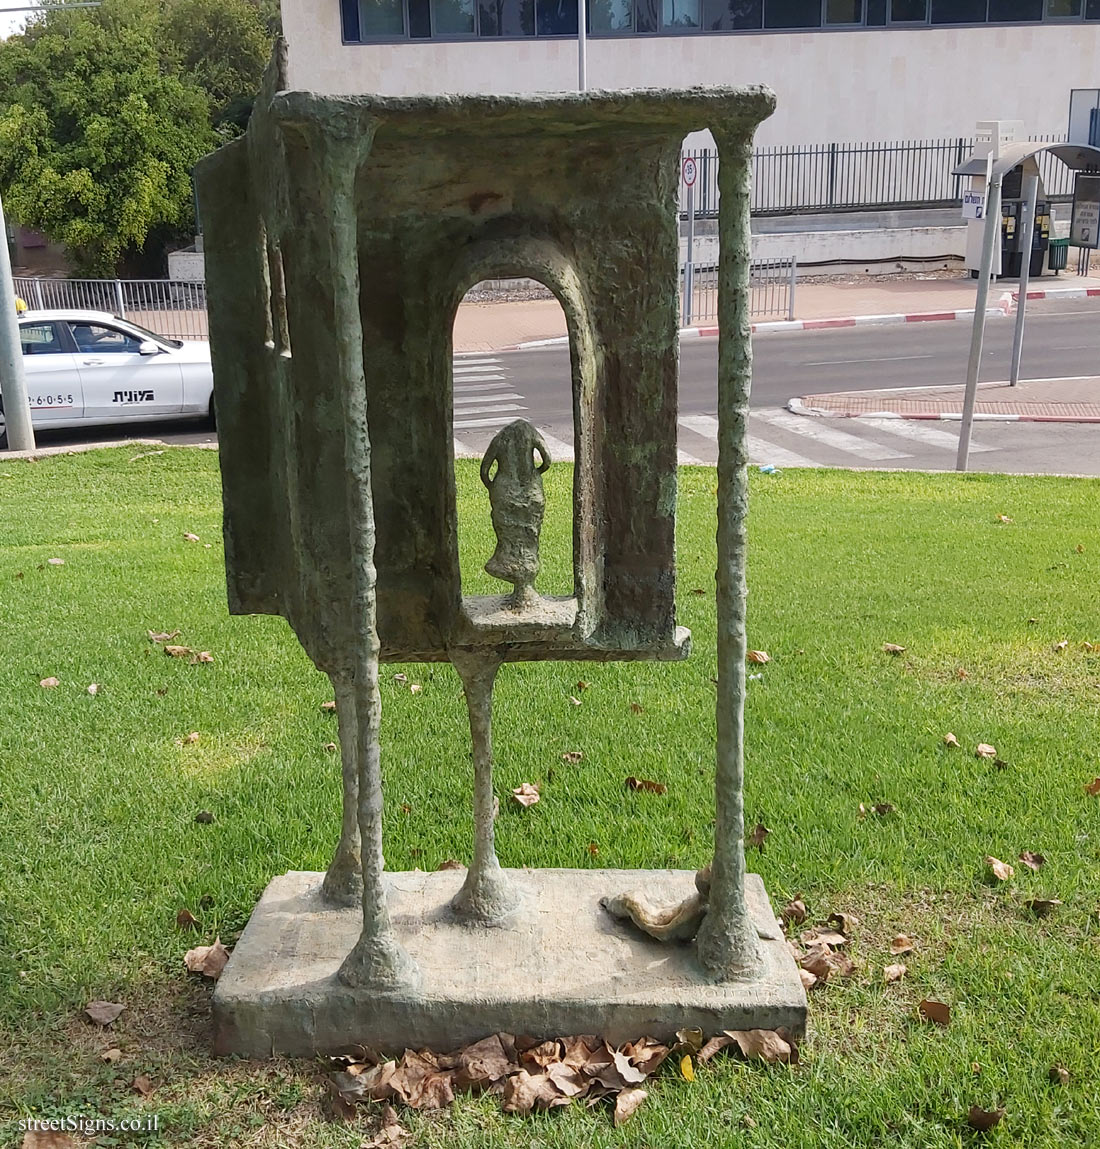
{"x":486,"y":400}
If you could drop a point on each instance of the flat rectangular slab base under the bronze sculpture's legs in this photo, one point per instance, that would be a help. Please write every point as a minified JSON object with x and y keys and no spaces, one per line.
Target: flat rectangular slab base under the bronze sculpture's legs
{"x":563,"y":966}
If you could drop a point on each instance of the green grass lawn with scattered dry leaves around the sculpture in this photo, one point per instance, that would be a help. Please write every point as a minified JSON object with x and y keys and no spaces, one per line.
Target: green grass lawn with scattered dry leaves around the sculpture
{"x":101,"y":849}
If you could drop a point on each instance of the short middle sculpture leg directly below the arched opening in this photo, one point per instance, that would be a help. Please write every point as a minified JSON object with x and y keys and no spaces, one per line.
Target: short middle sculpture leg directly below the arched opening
{"x":487,"y":897}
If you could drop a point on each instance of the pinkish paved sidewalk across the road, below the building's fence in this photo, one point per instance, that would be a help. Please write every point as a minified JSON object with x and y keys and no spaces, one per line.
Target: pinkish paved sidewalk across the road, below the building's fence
{"x":507,"y":326}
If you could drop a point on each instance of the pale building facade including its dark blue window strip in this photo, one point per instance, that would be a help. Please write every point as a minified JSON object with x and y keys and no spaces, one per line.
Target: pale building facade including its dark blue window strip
{"x":844,"y":71}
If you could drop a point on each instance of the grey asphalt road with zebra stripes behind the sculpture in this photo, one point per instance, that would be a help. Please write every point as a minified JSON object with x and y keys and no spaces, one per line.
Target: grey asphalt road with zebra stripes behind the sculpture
{"x":1063,"y":340}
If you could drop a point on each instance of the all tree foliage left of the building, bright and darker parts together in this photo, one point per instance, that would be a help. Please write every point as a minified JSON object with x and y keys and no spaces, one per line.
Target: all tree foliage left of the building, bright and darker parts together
{"x":104,"y":112}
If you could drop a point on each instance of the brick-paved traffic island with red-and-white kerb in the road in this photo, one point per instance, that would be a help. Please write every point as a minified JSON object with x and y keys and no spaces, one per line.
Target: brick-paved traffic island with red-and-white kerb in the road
{"x":1030,"y":402}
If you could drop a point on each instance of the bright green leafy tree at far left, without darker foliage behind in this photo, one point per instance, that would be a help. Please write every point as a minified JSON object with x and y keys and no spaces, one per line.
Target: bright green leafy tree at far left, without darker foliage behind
{"x":97,"y":140}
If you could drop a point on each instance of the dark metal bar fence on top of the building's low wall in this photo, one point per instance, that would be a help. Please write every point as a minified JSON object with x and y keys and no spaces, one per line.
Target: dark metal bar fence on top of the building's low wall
{"x":832,"y":178}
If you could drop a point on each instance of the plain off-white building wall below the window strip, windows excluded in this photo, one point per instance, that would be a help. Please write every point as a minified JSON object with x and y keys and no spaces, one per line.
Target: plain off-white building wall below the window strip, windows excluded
{"x":847,"y":86}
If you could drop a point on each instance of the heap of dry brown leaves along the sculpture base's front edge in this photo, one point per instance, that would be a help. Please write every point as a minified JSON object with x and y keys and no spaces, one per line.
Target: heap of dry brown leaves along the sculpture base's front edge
{"x":530,"y":1075}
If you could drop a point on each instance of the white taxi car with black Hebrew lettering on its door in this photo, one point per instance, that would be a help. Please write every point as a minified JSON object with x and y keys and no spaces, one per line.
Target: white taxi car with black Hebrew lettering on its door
{"x":90,"y":368}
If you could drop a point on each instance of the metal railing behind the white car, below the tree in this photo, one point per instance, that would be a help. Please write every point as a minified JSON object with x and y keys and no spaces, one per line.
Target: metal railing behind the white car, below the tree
{"x":175,"y":309}
